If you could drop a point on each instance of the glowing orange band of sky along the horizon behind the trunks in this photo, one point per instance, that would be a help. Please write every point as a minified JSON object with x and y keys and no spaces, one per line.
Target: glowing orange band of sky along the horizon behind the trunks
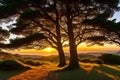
{"x":81,"y":49}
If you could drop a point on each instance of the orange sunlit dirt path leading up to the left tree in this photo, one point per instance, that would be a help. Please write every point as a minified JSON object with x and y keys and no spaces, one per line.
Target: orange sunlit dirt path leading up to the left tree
{"x":39,"y":73}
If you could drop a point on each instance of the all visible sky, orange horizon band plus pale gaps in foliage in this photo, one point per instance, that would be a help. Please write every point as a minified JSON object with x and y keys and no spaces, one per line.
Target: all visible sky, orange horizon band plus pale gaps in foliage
{"x":81,"y":48}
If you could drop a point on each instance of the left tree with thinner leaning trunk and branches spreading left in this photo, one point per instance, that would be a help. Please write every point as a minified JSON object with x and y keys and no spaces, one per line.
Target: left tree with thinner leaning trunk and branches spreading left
{"x":29,"y":12}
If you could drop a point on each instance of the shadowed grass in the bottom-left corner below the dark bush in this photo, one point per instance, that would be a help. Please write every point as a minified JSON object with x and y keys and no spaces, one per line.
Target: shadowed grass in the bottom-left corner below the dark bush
{"x":5,"y":75}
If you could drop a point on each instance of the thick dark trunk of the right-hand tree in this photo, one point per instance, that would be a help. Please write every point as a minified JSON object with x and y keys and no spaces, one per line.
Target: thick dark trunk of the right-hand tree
{"x":73,"y":48}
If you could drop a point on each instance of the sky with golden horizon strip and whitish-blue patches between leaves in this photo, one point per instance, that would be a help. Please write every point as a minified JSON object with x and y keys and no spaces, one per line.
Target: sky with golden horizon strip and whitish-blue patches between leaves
{"x":83,"y":48}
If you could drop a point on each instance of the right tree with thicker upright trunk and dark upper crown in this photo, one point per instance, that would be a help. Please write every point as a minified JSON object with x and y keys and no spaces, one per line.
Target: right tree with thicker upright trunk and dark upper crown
{"x":75,"y":12}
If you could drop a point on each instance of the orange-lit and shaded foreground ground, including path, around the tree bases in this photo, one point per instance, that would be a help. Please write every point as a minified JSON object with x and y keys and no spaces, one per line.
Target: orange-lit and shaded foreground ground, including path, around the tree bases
{"x":87,"y":71}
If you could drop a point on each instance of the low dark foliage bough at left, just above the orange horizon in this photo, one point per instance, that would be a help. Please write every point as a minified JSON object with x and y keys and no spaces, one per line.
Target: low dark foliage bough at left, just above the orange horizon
{"x":28,"y":42}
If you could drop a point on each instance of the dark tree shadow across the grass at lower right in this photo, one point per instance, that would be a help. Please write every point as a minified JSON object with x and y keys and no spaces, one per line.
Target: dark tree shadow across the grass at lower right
{"x":97,"y":73}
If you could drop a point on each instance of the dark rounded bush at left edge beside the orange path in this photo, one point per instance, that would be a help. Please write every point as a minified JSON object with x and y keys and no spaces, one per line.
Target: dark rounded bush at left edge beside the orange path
{"x":11,"y":65}
